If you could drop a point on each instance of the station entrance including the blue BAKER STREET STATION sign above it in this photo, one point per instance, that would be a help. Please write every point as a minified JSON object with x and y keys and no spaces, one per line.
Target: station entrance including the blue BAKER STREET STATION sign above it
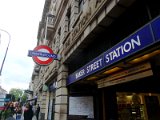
{"x":126,"y":77}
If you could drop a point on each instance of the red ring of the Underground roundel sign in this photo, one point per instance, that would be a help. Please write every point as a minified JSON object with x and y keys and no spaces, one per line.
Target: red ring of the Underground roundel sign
{"x":41,"y":62}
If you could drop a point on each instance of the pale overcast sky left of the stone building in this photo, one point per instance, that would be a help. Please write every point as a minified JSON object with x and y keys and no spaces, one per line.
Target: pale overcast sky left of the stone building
{"x":20,"y":18}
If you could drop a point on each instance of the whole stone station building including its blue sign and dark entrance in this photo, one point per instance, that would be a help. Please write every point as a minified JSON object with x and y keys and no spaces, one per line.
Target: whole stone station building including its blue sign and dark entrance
{"x":104,"y":46}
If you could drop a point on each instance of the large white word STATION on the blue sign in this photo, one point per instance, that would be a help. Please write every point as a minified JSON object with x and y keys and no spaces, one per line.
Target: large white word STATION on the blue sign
{"x":128,"y":46}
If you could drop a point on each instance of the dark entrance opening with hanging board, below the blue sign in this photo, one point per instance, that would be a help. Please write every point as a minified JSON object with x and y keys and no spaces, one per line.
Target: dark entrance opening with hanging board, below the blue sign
{"x":132,"y":94}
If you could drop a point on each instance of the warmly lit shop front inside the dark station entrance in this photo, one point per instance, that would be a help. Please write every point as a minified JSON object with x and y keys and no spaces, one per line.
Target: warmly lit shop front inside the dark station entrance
{"x":138,"y":106}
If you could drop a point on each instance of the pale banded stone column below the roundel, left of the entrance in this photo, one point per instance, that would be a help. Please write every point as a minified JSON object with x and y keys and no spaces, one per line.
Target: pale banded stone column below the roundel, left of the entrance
{"x":61,"y":97}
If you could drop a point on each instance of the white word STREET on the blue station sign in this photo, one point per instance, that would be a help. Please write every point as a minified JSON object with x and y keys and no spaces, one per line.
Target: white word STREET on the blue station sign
{"x":94,"y":66}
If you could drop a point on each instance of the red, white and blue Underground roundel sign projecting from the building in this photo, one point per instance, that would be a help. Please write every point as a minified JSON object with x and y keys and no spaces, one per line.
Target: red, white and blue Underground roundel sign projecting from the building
{"x":43,"y":55}
